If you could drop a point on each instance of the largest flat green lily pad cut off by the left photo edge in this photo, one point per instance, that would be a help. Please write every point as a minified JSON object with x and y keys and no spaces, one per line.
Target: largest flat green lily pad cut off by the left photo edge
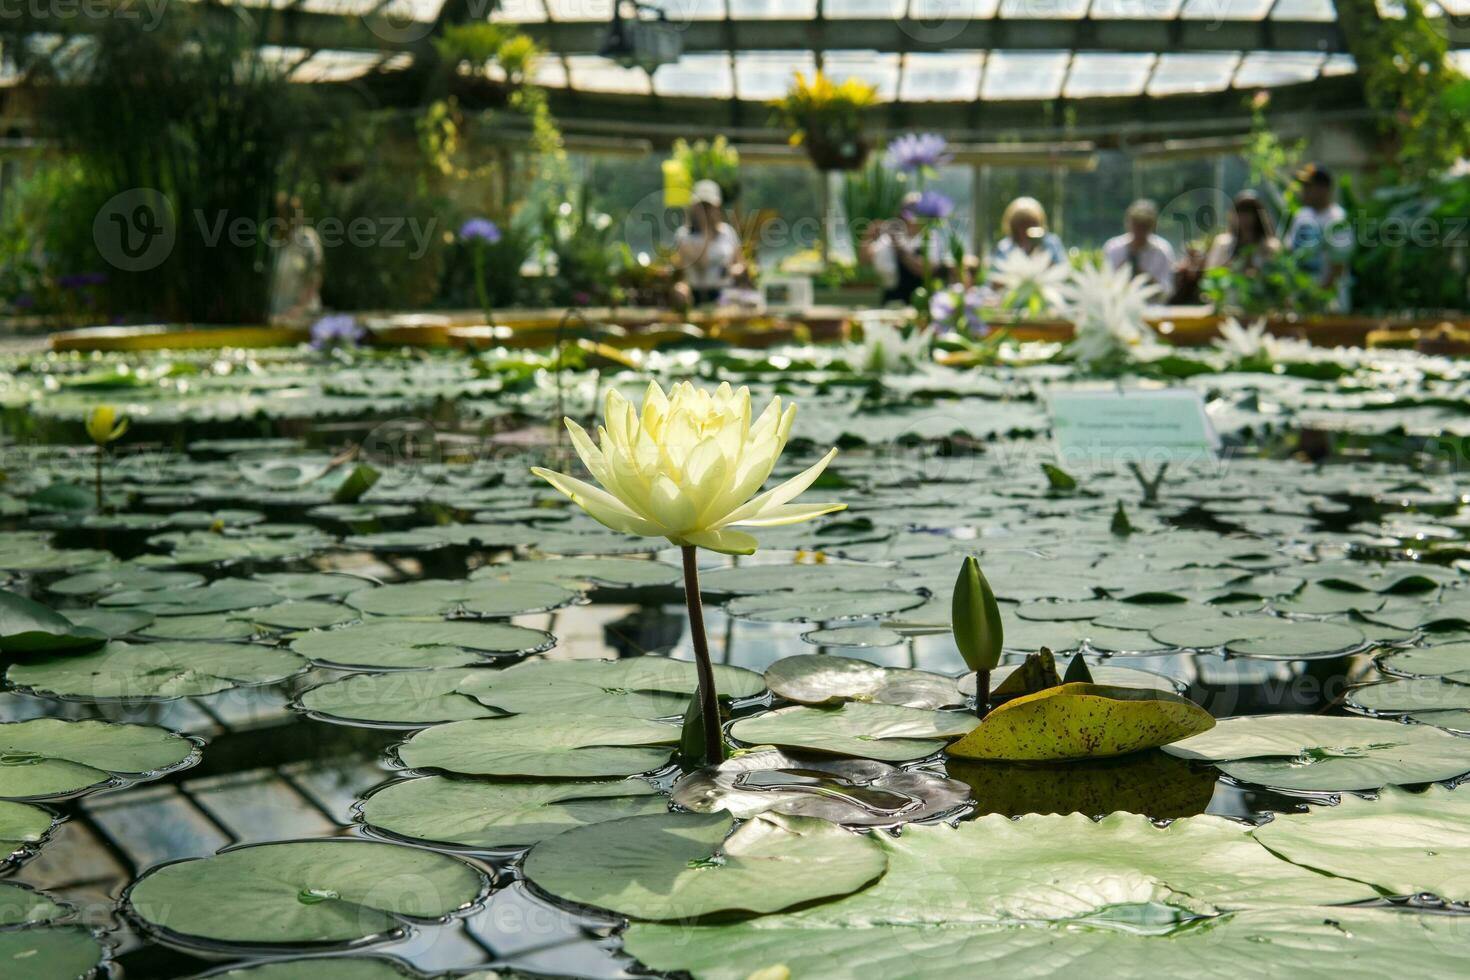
{"x":51,"y":759}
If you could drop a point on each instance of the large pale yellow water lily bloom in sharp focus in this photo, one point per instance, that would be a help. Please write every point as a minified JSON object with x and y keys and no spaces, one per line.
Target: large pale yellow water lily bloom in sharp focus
{"x":687,"y":468}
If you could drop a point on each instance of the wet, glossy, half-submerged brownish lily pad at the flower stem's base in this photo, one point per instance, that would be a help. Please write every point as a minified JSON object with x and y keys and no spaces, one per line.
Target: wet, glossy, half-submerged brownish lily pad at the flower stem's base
{"x":855,"y":793}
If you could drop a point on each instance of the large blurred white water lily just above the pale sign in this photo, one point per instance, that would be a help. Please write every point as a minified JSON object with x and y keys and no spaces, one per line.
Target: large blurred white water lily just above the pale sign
{"x":1106,"y":308}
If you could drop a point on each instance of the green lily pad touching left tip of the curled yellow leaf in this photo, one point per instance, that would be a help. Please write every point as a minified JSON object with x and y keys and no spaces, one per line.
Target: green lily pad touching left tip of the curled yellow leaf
{"x":867,"y":731}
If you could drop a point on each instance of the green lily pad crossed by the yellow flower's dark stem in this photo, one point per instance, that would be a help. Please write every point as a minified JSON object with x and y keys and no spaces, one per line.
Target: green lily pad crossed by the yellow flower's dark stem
{"x":639,"y":687}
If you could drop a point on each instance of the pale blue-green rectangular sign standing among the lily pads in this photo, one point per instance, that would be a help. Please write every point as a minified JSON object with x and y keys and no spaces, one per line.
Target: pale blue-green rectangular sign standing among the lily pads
{"x":1144,"y":428}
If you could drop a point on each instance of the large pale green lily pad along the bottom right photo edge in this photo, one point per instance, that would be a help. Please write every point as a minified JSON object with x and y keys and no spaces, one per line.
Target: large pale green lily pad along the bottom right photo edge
{"x":1365,"y":944}
